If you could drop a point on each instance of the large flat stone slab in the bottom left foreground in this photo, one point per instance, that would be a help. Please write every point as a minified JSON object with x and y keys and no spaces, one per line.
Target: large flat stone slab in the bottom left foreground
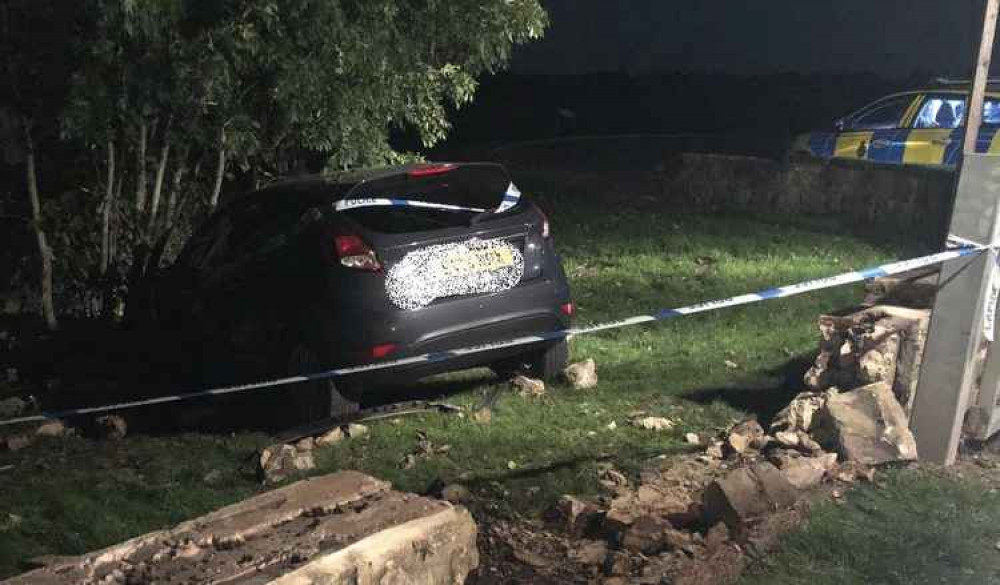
{"x":340,"y":528}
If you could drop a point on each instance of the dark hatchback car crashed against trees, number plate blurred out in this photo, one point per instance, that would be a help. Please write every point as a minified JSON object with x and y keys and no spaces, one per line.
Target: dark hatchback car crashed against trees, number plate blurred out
{"x":323,"y":272}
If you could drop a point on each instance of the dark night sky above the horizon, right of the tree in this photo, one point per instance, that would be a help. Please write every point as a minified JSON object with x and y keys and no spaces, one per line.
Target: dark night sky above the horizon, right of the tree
{"x":889,"y":37}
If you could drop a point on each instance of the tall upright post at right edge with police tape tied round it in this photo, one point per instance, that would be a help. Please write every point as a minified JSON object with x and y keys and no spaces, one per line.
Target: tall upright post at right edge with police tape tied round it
{"x":956,"y":341}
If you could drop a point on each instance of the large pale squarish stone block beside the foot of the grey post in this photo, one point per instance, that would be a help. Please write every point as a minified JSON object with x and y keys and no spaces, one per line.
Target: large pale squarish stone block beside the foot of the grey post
{"x":866,"y":425}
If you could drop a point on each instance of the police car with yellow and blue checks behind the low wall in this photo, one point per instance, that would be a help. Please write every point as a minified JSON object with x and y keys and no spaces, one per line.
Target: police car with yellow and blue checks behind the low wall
{"x":923,"y":127}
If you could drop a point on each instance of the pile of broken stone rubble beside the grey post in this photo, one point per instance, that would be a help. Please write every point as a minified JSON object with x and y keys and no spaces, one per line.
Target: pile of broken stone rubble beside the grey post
{"x":711,"y":509}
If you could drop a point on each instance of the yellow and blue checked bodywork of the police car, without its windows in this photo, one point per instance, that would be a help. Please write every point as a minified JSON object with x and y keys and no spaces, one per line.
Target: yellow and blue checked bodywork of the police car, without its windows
{"x":905,"y":144}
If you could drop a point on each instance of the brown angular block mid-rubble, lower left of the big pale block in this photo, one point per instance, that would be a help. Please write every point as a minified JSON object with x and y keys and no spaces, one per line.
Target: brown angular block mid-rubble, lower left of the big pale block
{"x":747,"y":493}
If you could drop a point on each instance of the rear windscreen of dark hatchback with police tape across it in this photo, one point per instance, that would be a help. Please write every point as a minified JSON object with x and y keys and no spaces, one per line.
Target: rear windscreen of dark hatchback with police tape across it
{"x":429,"y":198}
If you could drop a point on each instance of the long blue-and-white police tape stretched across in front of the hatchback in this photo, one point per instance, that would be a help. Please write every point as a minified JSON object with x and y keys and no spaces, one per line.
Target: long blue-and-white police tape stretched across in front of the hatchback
{"x":968,"y":249}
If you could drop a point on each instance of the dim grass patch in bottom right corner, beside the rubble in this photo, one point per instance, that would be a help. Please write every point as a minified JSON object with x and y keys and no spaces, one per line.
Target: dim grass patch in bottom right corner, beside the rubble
{"x":919,"y":527}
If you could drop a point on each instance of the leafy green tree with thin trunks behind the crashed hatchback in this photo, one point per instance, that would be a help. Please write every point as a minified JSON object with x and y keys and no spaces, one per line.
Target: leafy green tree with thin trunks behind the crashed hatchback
{"x":169,"y":98}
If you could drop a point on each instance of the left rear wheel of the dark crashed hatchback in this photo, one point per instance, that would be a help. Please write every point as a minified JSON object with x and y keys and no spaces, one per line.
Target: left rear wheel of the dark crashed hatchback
{"x":316,"y":399}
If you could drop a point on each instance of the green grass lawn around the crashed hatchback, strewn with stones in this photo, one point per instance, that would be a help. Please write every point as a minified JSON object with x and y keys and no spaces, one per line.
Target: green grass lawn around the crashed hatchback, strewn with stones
{"x":76,"y":495}
